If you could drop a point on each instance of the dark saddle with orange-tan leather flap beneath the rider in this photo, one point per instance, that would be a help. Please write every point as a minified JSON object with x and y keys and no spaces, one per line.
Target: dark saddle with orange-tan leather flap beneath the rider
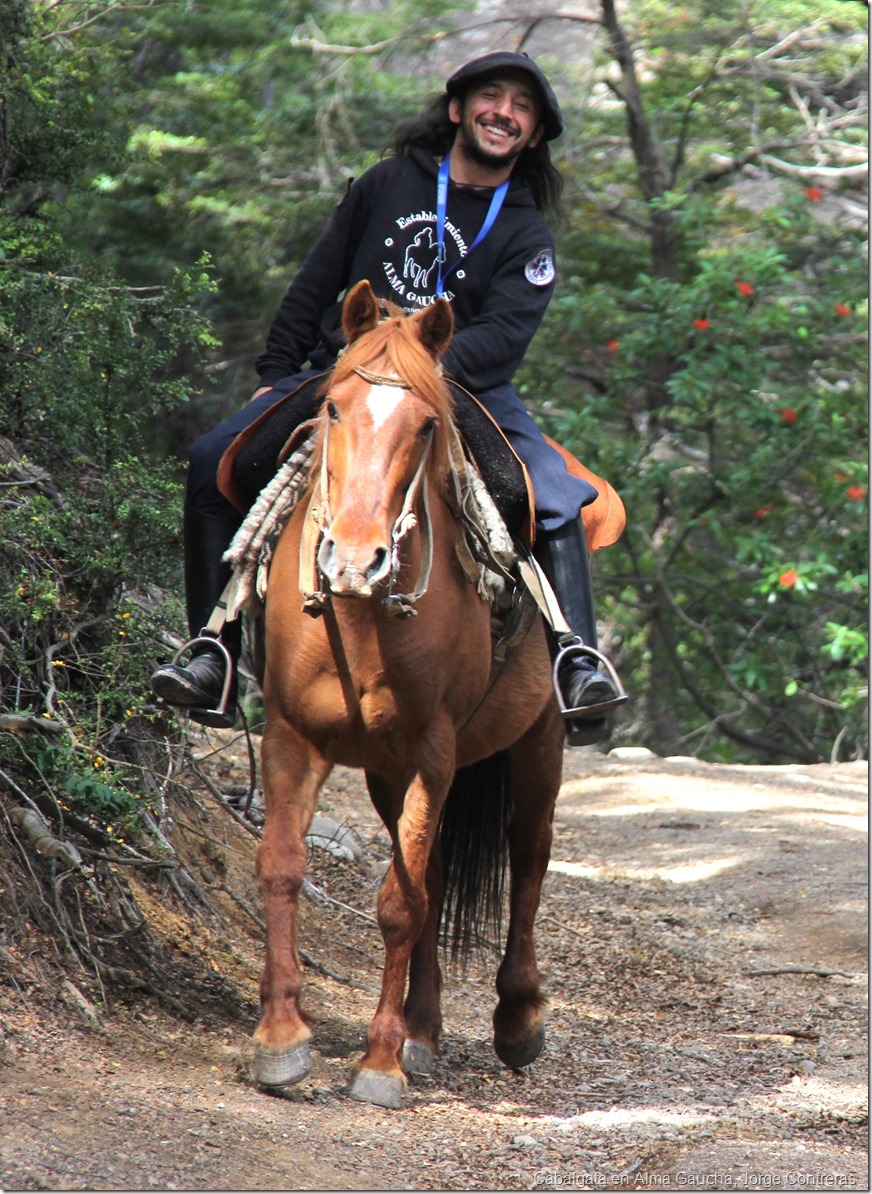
{"x":251,"y":463}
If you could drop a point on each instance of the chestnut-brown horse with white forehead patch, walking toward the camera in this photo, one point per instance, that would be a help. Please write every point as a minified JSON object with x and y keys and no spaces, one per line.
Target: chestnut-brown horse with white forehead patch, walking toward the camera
{"x":413,"y":701}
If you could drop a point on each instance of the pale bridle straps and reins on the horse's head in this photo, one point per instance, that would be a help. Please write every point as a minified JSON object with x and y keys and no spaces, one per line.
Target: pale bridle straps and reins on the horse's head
{"x":318,"y":520}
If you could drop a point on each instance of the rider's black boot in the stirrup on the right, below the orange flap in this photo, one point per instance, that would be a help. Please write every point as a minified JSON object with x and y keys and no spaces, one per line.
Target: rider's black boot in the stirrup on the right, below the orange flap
{"x":588,"y":696}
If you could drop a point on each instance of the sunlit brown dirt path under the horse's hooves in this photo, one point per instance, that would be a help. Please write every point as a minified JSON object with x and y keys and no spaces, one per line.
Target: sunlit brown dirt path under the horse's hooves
{"x":703,"y":937}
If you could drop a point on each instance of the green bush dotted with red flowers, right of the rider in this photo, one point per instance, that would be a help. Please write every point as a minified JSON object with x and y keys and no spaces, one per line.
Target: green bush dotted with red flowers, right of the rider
{"x":739,"y":594}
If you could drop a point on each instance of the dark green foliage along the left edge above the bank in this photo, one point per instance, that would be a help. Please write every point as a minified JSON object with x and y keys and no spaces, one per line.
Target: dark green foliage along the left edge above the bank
{"x":91,"y":372}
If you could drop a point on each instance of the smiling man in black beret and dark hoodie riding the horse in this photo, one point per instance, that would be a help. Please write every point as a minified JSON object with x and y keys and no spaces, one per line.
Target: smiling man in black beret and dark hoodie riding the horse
{"x":475,"y":173}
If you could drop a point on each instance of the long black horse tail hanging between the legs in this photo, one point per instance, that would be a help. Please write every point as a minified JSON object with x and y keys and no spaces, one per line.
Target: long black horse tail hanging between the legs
{"x":475,"y":847}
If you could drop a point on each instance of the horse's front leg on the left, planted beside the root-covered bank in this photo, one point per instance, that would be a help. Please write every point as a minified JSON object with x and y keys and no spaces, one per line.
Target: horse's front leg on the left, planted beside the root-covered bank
{"x":293,"y":774}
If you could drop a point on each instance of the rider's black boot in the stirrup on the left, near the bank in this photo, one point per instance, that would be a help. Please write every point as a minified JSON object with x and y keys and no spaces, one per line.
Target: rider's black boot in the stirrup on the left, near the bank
{"x":199,"y":687}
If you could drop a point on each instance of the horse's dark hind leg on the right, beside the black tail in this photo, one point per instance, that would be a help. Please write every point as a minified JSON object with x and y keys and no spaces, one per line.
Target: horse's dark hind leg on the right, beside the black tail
{"x":519,"y":1020}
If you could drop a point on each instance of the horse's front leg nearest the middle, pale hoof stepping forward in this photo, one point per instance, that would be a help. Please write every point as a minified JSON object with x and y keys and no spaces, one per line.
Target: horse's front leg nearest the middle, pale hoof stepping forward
{"x":403,"y":913}
